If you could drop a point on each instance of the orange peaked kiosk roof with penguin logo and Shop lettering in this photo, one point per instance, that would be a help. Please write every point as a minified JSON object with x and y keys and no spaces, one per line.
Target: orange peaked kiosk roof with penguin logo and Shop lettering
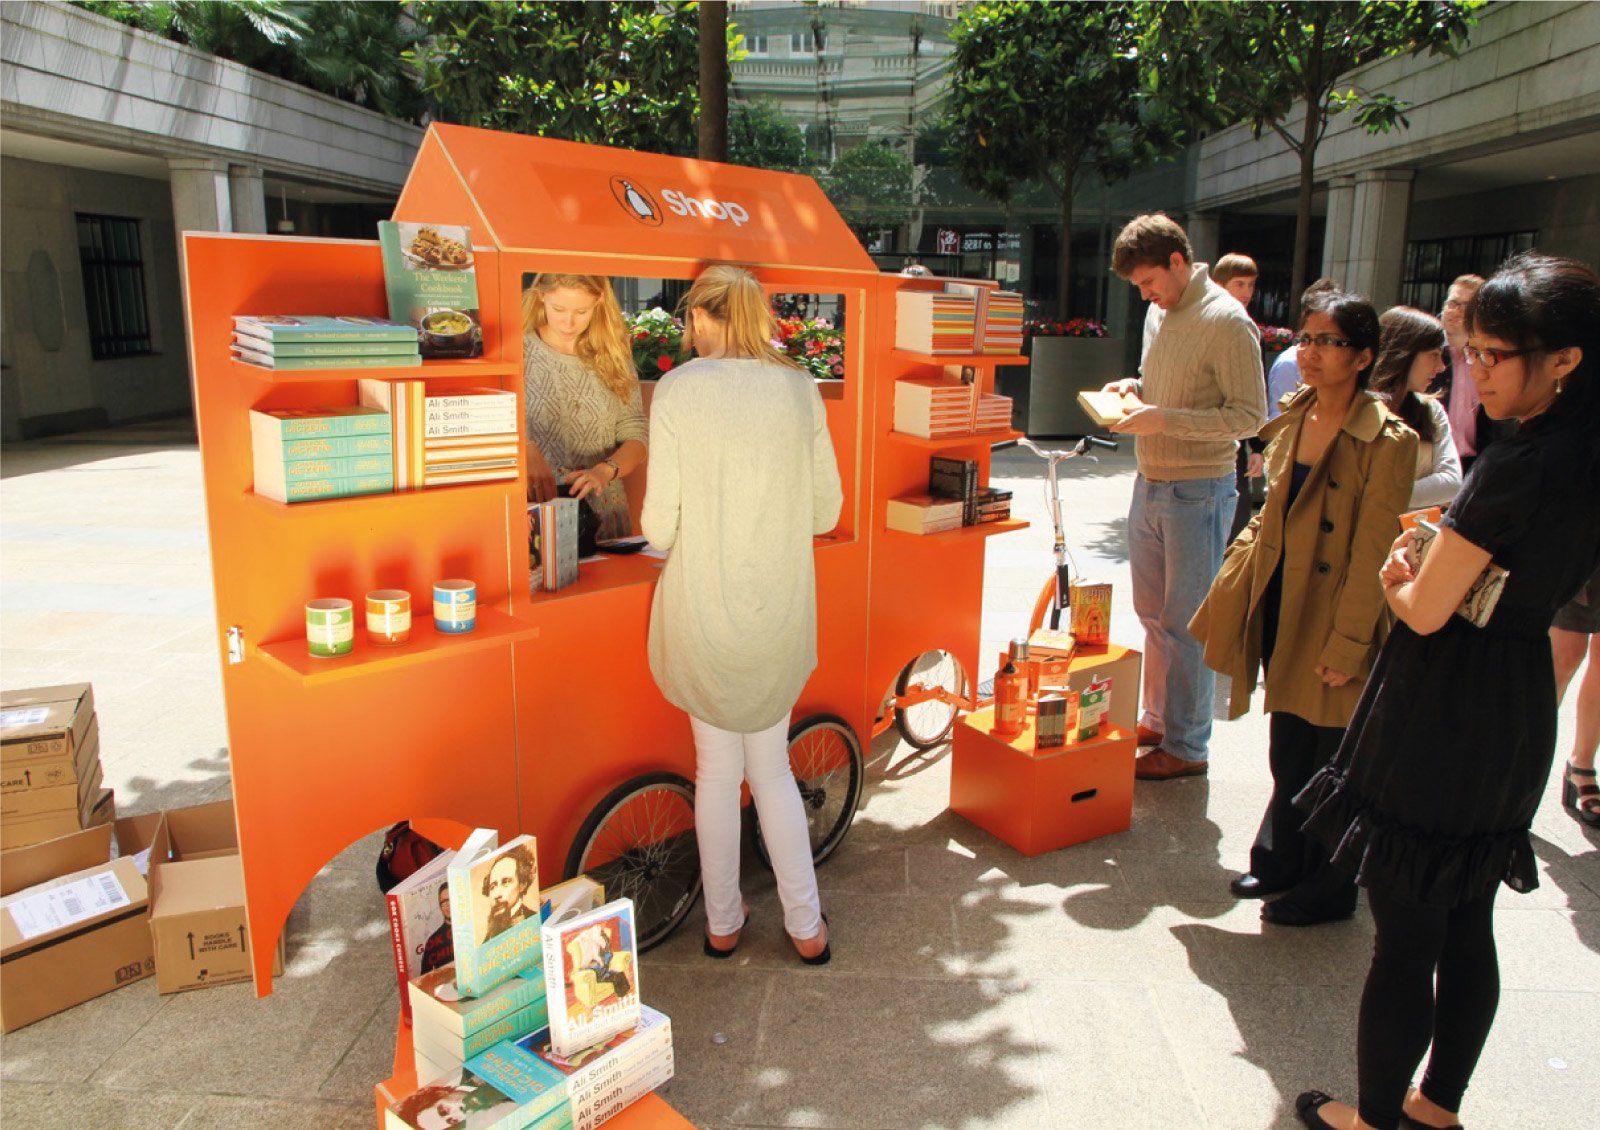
{"x":537,"y":194}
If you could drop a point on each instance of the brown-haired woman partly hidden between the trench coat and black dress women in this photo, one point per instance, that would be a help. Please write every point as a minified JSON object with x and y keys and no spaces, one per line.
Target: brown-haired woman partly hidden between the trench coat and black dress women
{"x":1410,"y":356}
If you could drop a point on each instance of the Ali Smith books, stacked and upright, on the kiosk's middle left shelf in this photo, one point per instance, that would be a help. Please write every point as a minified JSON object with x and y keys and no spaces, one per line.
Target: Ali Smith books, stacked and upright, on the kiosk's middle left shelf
{"x":446,"y":439}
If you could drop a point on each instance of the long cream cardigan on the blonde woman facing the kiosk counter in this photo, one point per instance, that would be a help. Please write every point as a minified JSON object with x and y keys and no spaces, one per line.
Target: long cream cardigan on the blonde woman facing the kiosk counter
{"x":742,"y":478}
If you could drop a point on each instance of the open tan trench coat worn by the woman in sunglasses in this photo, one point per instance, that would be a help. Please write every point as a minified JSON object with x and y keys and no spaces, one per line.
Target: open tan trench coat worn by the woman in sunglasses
{"x":1334,"y":543}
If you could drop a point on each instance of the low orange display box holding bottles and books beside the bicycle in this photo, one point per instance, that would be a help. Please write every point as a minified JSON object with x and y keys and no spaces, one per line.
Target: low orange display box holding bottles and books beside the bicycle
{"x":1041,"y":799}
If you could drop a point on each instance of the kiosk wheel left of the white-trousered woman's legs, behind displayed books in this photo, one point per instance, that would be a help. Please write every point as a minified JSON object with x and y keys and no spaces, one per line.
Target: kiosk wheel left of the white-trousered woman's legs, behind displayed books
{"x":639,"y":843}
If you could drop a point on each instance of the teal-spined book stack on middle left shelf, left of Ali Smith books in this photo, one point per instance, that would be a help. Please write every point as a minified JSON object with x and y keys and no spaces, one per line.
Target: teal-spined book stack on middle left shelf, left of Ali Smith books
{"x":311,"y":454}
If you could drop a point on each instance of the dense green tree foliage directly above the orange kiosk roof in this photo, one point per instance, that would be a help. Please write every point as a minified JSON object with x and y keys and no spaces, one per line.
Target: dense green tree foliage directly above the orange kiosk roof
{"x":604,"y":73}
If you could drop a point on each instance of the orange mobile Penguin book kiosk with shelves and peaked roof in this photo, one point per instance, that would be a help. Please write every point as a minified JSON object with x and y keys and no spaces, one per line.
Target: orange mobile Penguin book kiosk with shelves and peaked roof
{"x":527,"y":723}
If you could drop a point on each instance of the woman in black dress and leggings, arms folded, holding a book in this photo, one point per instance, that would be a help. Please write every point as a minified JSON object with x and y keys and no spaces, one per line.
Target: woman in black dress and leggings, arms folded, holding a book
{"x":1433,"y":793}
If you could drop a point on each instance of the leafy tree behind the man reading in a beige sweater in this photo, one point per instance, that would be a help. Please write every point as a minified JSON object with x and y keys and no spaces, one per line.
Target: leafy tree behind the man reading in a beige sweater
{"x":1054,"y":92}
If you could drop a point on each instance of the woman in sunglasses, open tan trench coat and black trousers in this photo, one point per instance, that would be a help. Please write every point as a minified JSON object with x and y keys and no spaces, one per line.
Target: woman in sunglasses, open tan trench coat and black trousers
{"x":1298,"y":591}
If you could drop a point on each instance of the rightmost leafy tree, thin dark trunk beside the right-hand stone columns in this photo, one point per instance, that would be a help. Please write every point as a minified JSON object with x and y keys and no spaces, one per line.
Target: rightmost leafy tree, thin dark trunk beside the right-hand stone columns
{"x":1263,"y":62}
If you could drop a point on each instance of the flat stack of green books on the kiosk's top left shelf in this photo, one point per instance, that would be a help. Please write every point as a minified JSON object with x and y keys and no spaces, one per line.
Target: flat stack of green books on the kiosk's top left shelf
{"x":303,"y":342}
